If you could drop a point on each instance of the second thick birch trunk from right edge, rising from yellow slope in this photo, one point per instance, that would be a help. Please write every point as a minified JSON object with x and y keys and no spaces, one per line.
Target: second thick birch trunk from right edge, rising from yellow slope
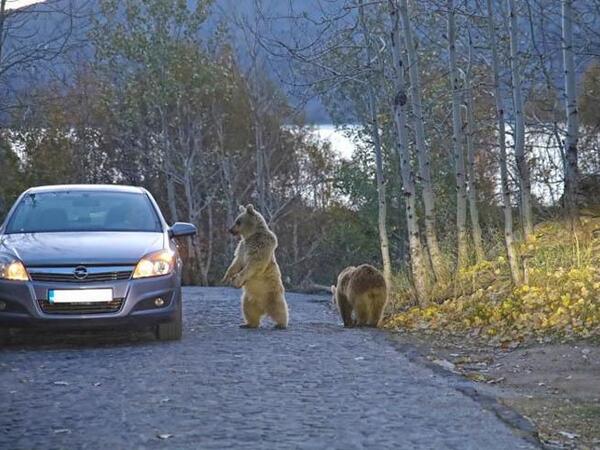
{"x":519,"y":139}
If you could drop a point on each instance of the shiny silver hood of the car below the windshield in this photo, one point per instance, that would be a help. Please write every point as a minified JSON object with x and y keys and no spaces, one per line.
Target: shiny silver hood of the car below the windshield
{"x":81,"y":248}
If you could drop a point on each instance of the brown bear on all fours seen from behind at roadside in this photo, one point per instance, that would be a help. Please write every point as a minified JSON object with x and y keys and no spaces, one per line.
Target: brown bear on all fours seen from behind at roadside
{"x":360,"y":290}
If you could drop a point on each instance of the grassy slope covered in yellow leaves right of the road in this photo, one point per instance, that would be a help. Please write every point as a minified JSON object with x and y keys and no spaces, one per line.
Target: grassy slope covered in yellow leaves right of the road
{"x":561,"y":297}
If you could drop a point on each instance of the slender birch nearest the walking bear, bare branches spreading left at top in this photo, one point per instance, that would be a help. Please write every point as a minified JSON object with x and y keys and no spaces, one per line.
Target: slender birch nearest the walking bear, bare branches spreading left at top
{"x":330,"y":68}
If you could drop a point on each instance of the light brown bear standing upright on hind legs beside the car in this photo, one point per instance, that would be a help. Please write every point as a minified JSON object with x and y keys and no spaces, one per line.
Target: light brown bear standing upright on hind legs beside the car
{"x":255,"y":270}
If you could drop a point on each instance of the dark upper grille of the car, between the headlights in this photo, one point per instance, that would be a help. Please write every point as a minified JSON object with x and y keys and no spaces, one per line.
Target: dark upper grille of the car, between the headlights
{"x":67,"y":274}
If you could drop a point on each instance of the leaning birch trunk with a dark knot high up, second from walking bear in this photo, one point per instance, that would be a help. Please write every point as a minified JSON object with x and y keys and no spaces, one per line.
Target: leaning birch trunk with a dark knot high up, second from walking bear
{"x":402,"y":147}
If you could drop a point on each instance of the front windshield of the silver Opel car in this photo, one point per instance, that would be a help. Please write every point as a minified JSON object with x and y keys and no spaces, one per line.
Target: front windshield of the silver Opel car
{"x":84,"y":211}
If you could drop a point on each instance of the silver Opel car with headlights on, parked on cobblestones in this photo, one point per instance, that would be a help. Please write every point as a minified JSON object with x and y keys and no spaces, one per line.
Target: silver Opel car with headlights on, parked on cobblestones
{"x":84,"y":256}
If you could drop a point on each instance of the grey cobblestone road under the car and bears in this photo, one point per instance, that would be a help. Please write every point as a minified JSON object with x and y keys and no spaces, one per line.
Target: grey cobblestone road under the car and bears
{"x":315,"y":385}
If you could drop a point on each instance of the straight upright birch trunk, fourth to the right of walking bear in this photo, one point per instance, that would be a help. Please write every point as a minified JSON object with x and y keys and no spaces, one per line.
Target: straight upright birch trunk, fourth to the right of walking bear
{"x":457,"y":143}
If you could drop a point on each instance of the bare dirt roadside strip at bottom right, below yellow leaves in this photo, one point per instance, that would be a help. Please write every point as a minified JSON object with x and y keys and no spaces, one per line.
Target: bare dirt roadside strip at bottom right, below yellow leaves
{"x":555,"y":385}
